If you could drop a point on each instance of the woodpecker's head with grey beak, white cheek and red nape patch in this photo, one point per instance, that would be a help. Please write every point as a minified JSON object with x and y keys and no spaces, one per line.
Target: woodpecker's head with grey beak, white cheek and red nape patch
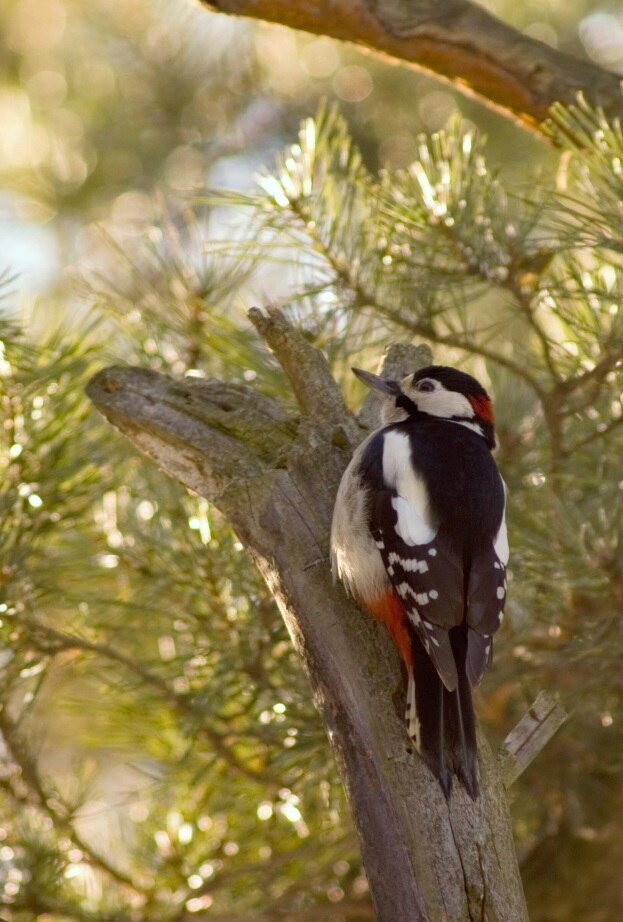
{"x":439,"y":391}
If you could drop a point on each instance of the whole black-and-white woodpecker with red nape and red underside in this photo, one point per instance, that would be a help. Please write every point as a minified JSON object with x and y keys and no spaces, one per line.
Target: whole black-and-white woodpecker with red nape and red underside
{"x":419,"y":539}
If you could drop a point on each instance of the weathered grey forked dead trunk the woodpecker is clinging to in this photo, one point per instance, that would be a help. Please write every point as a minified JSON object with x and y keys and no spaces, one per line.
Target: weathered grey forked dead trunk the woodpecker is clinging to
{"x":275,"y":476}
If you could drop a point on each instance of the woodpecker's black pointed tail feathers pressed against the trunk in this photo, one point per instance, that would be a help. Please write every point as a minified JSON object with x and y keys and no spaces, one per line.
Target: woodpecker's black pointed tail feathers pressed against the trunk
{"x":441,"y":723}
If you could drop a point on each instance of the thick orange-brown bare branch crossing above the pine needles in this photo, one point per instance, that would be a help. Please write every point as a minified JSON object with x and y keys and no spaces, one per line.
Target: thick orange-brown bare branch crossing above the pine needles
{"x":455,"y":40}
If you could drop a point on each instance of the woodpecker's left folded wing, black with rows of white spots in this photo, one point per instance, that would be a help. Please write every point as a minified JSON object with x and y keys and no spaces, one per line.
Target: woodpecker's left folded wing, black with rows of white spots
{"x":425,"y":571}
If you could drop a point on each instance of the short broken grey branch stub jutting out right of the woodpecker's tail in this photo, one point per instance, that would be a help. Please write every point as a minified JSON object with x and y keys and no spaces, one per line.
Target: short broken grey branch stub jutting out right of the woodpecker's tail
{"x":530,"y":736}
